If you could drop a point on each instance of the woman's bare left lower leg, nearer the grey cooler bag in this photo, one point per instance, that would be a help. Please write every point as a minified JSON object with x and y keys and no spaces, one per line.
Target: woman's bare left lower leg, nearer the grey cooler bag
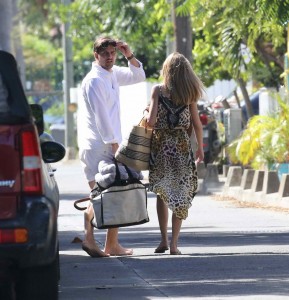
{"x":163,"y":214}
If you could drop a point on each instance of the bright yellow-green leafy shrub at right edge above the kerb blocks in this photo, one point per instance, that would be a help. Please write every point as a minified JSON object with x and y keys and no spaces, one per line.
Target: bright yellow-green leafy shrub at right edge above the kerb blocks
{"x":264,"y":141}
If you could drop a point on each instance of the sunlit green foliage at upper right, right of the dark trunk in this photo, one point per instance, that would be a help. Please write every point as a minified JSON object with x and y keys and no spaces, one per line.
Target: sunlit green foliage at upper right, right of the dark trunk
{"x":227,"y":26}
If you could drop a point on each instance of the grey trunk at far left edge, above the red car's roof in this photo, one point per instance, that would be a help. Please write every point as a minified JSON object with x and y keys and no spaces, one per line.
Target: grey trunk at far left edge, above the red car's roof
{"x":5,"y":24}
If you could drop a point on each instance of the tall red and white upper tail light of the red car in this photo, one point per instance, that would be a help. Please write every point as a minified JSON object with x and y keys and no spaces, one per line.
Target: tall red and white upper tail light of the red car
{"x":31,"y":163}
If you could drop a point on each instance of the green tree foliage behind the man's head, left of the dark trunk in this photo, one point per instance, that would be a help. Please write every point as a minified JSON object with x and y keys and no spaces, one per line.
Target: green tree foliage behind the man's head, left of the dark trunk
{"x":125,"y":20}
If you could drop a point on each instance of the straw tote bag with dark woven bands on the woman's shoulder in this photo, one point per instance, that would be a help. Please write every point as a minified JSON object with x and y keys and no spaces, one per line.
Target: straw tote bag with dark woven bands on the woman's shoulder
{"x":134,"y":150}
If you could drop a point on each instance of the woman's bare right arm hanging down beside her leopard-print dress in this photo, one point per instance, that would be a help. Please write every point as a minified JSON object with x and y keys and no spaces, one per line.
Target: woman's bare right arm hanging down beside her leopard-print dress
{"x":198,"y":130}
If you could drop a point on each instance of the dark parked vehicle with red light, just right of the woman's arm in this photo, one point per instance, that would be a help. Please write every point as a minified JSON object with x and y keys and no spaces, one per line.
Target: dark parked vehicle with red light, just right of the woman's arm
{"x":211,"y":142}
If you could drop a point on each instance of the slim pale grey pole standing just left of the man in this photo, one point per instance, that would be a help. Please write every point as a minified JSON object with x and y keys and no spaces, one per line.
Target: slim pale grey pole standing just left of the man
{"x":69,"y":134}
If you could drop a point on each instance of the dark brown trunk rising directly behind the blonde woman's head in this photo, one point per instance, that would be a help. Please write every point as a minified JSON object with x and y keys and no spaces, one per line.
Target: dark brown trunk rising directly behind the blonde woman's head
{"x":183,"y":34}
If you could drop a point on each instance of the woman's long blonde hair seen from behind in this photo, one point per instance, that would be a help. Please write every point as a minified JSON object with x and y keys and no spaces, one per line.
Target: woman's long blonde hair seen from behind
{"x":180,"y":80}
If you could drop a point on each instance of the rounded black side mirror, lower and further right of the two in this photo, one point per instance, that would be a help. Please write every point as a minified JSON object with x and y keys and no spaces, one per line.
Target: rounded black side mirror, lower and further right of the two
{"x":52,"y":151}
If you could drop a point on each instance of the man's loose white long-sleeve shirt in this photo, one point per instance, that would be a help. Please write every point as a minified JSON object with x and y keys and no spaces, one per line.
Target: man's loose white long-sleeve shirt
{"x":99,"y":109}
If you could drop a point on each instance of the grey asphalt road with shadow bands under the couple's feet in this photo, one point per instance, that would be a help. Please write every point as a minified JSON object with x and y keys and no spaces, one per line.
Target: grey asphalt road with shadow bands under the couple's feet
{"x":229,"y":252}
